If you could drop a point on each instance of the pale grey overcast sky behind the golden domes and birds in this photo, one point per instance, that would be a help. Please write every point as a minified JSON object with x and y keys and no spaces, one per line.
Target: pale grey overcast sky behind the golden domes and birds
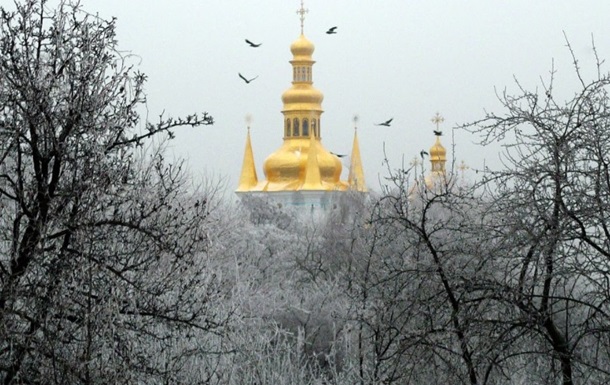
{"x":390,"y":58}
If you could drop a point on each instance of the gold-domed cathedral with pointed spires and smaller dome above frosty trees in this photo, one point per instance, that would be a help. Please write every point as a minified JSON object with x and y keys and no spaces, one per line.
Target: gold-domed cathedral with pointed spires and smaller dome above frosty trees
{"x":302,"y":172}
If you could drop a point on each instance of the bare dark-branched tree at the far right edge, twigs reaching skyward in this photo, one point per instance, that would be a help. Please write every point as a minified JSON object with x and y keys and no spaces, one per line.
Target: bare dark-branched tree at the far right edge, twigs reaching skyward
{"x":548,"y":226}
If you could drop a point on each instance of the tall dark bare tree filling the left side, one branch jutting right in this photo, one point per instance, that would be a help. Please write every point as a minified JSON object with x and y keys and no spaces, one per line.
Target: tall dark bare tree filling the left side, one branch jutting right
{"x":102,"y":269}
